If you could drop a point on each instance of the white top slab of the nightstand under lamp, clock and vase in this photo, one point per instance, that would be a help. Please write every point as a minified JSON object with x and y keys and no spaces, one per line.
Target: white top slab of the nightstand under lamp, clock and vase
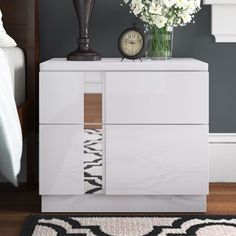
{"x":115,"y":64}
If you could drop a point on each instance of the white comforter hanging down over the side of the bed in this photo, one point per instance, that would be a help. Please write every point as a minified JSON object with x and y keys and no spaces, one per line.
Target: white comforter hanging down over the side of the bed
{"x":10,"y":129}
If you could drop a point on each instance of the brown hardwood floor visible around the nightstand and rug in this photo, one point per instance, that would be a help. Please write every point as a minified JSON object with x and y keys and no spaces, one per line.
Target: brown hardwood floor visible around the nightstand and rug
{"x":17,"y":204}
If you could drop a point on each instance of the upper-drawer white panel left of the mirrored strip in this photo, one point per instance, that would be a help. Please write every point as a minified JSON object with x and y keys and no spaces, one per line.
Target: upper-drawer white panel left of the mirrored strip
{"x":61,"y":98}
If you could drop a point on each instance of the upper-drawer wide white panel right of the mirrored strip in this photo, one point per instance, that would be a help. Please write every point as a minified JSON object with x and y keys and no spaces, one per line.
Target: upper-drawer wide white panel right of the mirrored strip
{"x":156,"y":98}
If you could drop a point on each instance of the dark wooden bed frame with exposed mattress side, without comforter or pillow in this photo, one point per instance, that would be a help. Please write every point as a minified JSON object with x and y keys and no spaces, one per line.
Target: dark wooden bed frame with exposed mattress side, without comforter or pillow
{"x":21,"y":23}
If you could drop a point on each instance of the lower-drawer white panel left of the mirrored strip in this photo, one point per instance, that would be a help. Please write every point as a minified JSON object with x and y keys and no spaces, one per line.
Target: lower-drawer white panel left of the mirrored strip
{"x":61,"y":160}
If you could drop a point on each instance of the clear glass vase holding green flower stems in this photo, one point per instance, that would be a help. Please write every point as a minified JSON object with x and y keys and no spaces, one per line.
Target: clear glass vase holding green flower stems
{"x":159,"y":43}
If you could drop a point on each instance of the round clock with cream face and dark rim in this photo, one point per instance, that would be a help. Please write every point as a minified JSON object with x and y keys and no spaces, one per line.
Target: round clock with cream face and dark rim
{"x":131,"y":43}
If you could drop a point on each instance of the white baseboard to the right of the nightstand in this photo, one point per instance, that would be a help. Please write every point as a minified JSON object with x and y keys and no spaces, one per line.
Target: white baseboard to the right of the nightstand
{"x":222,"y":157}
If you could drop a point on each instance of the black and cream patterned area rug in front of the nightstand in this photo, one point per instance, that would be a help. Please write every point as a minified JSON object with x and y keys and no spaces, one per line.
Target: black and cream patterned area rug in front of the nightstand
{"x":129,"y":226}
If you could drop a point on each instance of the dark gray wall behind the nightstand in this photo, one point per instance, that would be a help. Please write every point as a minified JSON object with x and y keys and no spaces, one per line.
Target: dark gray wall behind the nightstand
{"x":58,"y":25}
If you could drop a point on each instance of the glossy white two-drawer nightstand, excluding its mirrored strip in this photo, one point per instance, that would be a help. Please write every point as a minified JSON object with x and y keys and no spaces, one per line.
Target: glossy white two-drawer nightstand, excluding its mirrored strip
{"x":155,"y":135}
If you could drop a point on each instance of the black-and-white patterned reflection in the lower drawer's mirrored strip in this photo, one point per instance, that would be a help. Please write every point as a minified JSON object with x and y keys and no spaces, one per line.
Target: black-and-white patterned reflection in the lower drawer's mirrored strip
{"x":93,"y":161}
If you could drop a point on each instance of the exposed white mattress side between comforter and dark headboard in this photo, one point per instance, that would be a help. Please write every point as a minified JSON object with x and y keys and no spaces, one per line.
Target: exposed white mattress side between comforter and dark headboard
{"x":16,"y":61}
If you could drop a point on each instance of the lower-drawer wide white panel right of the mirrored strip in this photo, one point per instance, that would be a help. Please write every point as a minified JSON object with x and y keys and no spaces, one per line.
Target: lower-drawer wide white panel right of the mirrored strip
{"x":157,"y":160}
